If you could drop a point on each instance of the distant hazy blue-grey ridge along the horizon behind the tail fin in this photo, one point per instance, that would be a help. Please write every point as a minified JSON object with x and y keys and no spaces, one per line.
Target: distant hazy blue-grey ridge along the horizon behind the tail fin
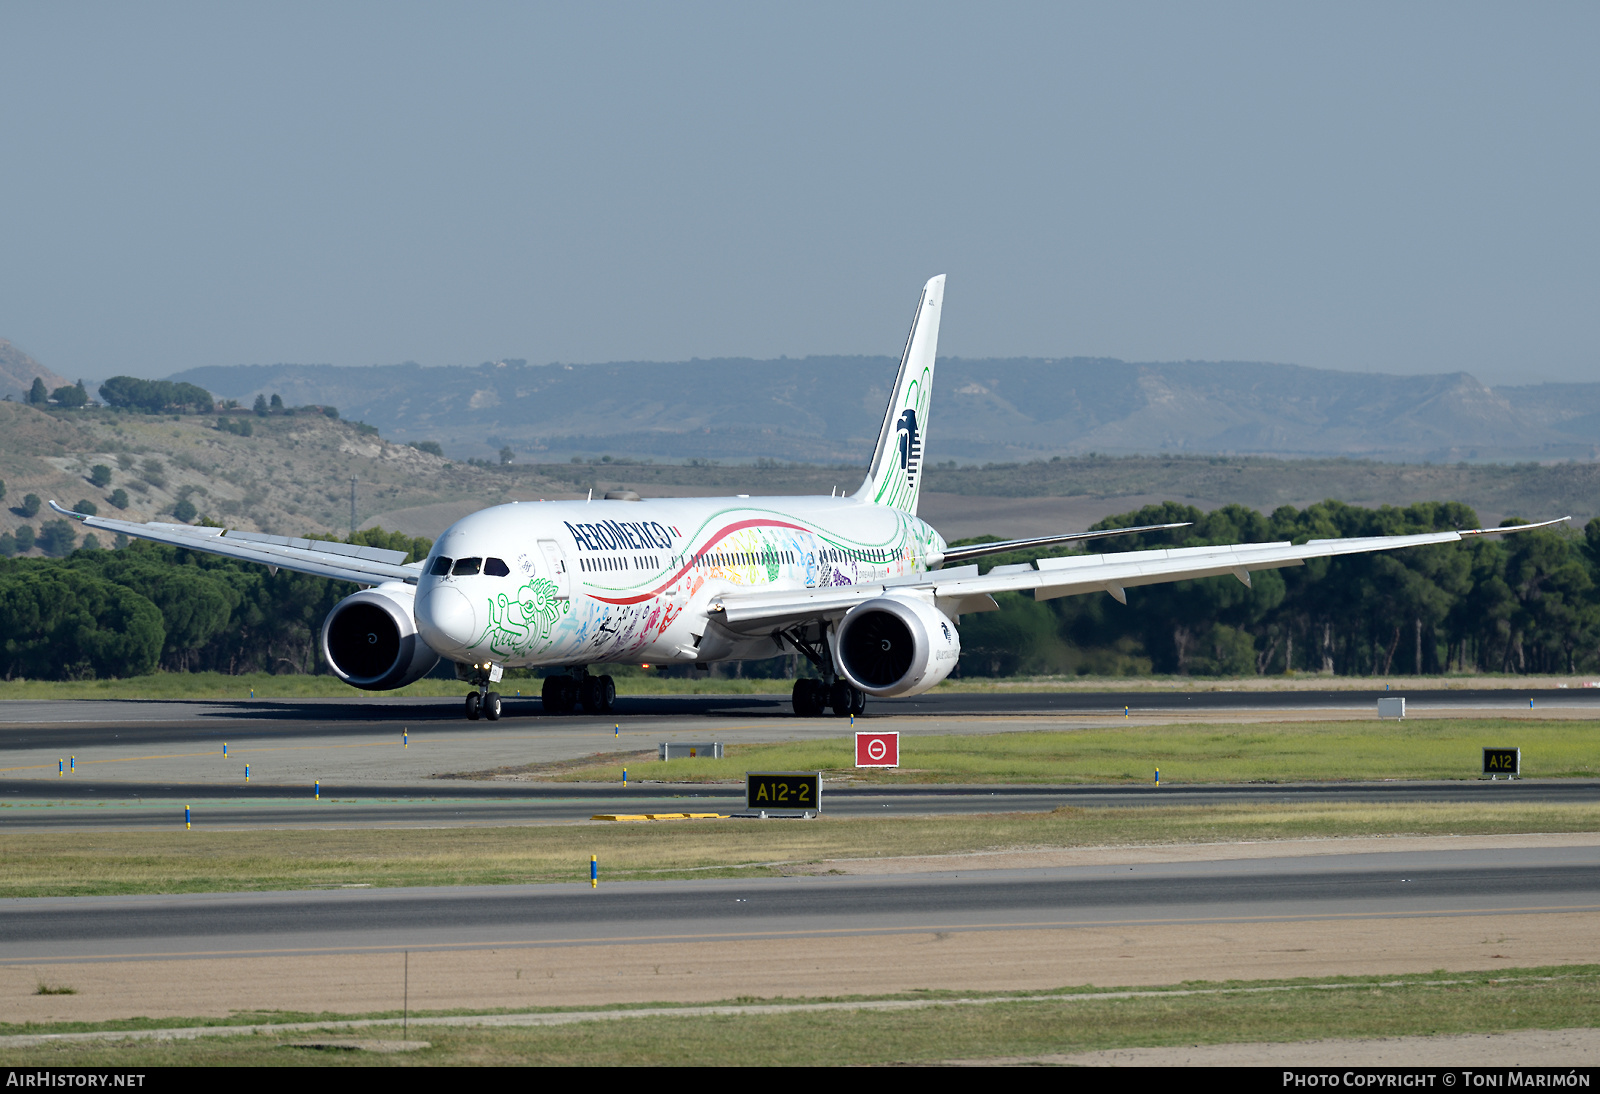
{"x":828,"y":409}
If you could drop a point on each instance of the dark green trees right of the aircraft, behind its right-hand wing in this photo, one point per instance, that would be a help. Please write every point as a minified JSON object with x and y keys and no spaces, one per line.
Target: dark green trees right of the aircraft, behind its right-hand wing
{"x":1527,"y":604}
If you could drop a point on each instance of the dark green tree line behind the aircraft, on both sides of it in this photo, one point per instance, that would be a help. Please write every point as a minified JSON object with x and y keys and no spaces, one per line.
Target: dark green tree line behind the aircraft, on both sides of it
{"x":1524,"y":604}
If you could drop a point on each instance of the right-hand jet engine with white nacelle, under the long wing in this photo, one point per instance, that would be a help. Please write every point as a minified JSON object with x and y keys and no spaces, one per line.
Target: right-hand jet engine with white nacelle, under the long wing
{"x":897,"y":647}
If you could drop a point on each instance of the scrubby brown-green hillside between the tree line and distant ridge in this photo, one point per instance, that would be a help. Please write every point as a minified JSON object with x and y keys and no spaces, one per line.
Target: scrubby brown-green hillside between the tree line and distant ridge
{"x":292,"y":476}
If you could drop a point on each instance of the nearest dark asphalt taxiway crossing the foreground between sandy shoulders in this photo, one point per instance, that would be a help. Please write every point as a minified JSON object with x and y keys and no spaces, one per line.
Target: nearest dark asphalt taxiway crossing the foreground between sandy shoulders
{"x":1287,"y":890}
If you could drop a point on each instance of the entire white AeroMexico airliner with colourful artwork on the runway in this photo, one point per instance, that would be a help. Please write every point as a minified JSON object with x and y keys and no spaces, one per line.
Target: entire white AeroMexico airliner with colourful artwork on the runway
{"x":870,"y":594}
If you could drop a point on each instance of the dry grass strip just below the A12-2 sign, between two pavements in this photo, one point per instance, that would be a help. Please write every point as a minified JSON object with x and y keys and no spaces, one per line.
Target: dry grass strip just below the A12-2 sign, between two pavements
{"x":102,"y":863}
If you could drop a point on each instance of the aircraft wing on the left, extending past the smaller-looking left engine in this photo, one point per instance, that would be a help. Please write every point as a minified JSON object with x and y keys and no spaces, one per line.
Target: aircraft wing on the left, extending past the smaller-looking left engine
{"x":324,"y":559}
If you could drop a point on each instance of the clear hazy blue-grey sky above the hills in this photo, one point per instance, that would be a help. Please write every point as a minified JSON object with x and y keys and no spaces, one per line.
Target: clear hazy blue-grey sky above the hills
{"x":1394,"y":186}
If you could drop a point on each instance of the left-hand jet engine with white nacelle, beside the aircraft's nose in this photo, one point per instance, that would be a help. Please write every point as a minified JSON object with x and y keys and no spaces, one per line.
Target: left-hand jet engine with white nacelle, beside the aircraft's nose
{"x":370,"y":639}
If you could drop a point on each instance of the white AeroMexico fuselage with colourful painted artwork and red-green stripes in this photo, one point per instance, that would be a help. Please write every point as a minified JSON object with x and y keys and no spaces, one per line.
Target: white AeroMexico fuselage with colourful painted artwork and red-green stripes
{"x":604,"y":586}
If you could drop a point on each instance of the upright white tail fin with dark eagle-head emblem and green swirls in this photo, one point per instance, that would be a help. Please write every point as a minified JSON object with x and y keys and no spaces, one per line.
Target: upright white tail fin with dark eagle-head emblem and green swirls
{"x":895,"y":477}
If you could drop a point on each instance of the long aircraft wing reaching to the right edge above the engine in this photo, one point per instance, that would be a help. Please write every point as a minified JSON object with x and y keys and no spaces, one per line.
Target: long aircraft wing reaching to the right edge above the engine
{"x":962,"y":591}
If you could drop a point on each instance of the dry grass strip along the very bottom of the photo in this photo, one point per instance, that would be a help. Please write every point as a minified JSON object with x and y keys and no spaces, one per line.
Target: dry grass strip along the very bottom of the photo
{"x":1068,"y":1023}
